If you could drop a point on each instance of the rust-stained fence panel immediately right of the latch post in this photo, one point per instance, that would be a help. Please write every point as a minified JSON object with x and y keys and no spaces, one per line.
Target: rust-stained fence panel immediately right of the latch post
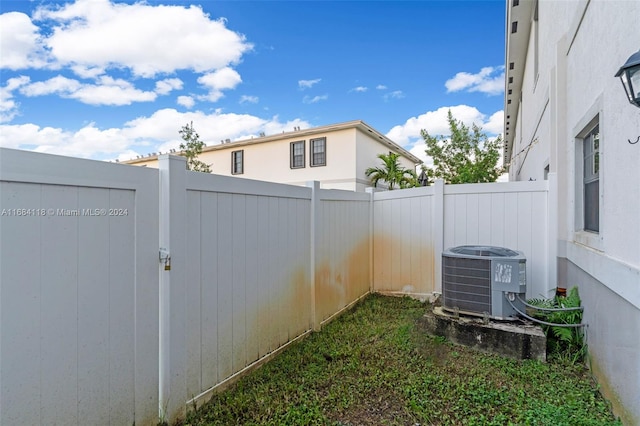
{"x":242,"y":273}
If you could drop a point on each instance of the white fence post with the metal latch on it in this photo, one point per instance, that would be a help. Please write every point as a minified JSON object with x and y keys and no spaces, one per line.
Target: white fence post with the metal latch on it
{"x":172,"y":389}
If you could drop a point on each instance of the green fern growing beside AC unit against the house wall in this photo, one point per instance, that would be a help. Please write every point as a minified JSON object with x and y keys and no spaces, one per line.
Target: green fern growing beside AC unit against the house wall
{"x":563,"y":342}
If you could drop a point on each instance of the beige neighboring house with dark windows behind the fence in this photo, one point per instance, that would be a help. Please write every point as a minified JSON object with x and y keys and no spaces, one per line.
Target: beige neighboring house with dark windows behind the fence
{"x":336,"y":155}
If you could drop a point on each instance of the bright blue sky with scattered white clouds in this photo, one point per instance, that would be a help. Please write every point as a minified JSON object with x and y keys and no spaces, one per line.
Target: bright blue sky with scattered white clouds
{"x":104,"y":79}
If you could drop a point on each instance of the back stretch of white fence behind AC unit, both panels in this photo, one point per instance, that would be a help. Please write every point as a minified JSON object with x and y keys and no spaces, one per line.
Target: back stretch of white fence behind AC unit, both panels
{"x":412,"y":227}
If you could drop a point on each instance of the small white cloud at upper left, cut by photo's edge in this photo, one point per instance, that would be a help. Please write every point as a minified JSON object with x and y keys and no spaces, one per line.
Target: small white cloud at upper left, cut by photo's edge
{"x":20,"y":44}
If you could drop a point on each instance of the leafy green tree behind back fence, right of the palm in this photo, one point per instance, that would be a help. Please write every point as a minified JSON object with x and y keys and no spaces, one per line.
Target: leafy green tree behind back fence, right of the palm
{"x":467,"y":156}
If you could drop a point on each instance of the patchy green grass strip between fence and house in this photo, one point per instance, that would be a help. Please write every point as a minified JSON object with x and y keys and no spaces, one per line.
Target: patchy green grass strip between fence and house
{"x":373,"y":367}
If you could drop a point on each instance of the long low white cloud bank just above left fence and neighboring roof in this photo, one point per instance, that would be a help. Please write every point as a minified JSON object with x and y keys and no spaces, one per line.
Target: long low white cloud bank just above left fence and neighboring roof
{"x":154,"y":133}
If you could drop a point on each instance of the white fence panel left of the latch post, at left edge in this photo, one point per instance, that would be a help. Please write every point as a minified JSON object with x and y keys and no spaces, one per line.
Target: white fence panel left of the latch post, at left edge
{"x":78,"y":291}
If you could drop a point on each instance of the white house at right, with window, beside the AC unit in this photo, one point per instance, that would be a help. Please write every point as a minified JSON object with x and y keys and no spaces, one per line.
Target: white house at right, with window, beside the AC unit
{"x":567,"y":119}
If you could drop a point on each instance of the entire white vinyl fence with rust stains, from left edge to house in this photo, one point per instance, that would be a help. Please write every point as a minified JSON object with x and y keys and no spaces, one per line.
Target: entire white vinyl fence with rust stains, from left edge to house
{"x":128,"y":293}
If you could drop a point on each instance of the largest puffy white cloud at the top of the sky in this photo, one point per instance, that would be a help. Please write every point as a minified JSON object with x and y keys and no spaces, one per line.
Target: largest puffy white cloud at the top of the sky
{"x":94,"y":35}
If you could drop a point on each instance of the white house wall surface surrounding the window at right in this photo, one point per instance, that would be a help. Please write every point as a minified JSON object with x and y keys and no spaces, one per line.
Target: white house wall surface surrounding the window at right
{"x":610,"y":280}
